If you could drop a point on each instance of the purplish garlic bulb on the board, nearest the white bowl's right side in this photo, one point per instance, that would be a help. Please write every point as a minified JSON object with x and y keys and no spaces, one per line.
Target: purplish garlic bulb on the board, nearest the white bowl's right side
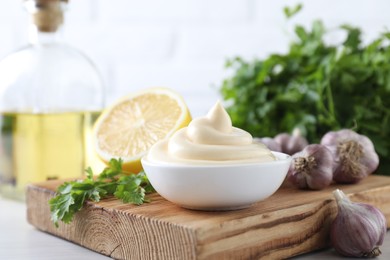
{"x":311,"y":168}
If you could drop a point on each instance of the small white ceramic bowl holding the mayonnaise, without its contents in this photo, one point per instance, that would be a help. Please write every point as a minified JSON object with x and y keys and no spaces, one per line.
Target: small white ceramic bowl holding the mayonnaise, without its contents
{"x":217,"y":187}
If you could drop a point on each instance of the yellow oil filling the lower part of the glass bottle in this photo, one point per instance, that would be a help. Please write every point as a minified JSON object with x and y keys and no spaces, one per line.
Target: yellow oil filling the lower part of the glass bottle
{"x":39,"y":147}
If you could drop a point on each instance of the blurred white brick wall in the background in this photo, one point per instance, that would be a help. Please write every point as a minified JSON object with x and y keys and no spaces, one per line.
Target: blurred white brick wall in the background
{"x":183,"y":44}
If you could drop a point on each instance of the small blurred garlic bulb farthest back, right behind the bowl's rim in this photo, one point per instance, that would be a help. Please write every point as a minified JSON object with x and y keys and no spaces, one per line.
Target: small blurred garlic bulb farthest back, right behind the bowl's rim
{"x":293,"y":143}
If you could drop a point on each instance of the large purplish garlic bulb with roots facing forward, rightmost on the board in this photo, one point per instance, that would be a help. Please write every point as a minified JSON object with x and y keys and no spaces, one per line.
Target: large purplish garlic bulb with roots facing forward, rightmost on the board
{"x":354,"y":154}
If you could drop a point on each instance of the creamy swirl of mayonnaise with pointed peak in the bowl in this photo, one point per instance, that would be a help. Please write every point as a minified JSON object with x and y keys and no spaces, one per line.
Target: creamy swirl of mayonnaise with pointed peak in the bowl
{"x":210,"y":140}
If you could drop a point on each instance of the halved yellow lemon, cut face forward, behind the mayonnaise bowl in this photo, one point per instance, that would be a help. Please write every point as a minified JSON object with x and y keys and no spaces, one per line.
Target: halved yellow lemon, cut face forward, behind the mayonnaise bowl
{"x":129,"y":127}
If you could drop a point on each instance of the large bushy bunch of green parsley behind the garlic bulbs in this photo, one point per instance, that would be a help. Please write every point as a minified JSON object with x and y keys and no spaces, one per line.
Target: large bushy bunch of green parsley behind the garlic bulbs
{"x":316,"y":87}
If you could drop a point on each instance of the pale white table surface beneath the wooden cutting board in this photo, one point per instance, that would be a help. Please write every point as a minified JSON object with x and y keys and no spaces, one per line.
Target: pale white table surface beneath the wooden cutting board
{"x":20,"y":240}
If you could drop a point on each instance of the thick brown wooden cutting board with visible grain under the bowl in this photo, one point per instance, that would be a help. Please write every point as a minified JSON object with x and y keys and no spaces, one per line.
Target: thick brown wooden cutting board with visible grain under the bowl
{"x":289,"y":223}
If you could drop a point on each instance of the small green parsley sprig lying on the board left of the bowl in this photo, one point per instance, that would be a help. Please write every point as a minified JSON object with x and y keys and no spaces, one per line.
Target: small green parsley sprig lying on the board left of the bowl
{"x":128,"y":187}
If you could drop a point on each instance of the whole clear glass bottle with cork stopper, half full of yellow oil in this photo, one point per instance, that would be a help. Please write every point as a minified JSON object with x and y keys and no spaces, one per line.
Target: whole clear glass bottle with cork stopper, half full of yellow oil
{"x":50,"y":96}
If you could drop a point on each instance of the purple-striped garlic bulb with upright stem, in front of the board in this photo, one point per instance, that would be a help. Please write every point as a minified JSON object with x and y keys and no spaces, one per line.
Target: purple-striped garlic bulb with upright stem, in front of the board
{"x":358,"y":229}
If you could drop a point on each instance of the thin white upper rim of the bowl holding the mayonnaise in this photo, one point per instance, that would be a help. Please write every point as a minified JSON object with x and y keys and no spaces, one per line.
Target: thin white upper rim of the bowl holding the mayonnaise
{"x":281,"y":158}
